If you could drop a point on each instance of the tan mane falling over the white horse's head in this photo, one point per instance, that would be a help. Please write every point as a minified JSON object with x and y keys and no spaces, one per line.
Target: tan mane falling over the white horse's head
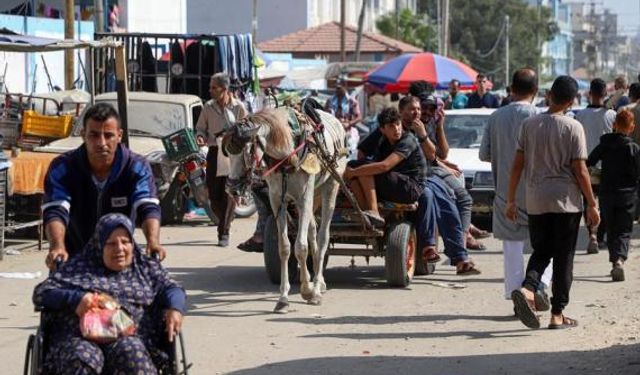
{"x":279,"y":140}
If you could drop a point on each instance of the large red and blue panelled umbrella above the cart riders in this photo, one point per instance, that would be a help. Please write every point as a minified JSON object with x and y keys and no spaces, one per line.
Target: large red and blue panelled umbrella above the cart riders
{"x":397,"y":74}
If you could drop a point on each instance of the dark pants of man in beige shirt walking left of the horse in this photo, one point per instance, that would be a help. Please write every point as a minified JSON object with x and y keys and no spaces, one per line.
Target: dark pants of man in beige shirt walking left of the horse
{"x":222,"y":203}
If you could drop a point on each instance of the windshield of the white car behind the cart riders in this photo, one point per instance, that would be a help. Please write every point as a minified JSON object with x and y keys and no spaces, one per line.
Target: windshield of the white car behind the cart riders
{"x":465,"y":131}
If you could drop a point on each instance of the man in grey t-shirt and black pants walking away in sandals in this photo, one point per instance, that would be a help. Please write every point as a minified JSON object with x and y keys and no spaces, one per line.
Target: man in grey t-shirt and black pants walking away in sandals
{"x":551,"y":152}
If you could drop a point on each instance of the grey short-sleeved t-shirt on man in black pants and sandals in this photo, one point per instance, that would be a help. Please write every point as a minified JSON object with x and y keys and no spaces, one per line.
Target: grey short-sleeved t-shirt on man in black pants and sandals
{"x":550,"y":143}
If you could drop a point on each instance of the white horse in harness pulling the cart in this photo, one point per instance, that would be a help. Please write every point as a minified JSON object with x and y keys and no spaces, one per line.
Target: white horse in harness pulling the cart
{"x":270,"y":131}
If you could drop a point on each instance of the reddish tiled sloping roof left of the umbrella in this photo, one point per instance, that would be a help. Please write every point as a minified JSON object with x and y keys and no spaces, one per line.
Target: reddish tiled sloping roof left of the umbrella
{"x":326,"y":39}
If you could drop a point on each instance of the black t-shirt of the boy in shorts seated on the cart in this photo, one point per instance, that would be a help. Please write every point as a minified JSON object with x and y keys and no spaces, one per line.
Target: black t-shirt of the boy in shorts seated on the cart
{"x":413,"y":164}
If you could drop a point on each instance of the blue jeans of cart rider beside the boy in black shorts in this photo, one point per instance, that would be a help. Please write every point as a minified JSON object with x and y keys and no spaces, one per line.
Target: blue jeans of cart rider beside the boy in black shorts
{"x":436,"y":207}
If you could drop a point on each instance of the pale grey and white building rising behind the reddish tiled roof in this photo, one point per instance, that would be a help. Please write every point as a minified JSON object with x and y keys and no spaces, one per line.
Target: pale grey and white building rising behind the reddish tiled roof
{"x":281,"y":17}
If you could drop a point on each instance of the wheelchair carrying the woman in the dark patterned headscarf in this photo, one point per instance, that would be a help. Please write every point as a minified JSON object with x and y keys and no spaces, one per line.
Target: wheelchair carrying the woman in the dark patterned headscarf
{"x":37,"y":345}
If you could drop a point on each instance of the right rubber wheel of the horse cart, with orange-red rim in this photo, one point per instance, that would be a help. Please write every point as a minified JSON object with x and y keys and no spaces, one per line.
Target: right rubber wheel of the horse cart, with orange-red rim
{"x":400,"y":253}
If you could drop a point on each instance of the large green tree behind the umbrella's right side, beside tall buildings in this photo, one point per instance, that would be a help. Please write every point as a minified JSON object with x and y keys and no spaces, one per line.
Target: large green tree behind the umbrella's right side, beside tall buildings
{"x":475,"y":28}
